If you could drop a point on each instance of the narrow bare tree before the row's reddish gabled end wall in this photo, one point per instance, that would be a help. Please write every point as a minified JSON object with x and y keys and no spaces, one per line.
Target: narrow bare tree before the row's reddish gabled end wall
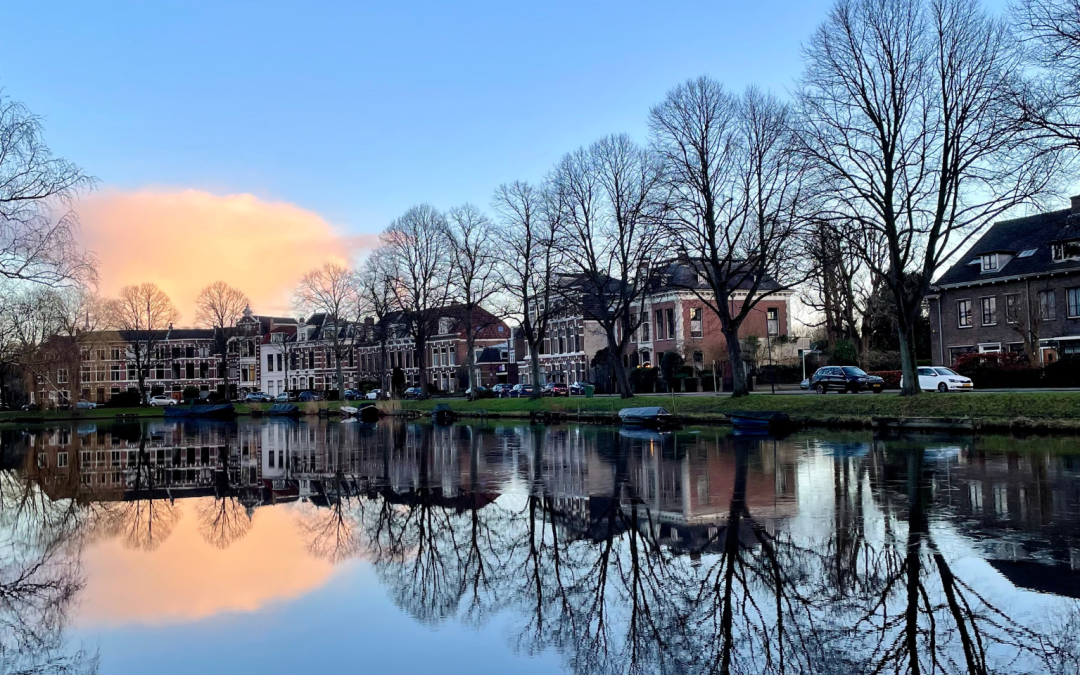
{"x":475,"y":276}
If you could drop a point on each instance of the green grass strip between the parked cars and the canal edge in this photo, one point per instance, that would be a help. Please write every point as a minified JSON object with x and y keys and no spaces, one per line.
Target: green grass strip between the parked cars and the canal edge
{"x":1036,"y":407}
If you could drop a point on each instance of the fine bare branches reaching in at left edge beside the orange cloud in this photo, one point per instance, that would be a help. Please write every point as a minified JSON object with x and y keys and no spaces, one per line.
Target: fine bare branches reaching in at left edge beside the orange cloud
{"x":39,"y":236}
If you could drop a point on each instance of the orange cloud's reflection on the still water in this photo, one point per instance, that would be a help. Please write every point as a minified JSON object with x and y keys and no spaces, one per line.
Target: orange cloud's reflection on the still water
{"x":186,"y":579}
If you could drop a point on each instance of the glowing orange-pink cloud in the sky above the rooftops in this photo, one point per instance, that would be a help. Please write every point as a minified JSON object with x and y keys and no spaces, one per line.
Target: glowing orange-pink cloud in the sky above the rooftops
{"x":184,"y":240}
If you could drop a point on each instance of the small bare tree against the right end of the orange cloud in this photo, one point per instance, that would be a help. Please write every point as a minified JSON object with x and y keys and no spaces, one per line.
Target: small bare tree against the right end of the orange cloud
{"x":331,"y":290}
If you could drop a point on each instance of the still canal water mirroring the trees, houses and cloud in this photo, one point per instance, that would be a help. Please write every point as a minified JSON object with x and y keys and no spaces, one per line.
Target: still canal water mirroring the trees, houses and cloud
{"x":282,"y":547}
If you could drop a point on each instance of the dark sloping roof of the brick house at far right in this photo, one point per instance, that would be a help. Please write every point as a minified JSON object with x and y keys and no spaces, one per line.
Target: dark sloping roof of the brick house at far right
{"x":1020,"y":235}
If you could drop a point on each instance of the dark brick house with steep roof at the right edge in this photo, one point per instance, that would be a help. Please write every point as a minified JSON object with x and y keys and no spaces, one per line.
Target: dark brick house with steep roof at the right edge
{"x":1018,"y":289}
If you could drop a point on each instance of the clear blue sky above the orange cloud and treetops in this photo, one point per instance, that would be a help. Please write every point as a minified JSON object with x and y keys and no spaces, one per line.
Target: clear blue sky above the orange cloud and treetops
{"x":358,"y":111}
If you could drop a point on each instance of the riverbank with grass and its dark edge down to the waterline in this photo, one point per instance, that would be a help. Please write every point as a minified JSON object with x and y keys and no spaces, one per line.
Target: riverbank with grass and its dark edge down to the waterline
{"x":1051,"y":412}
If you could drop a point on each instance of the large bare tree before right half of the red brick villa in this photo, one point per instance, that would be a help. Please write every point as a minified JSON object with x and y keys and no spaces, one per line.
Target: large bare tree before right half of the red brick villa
{"x":734,"y":191}
